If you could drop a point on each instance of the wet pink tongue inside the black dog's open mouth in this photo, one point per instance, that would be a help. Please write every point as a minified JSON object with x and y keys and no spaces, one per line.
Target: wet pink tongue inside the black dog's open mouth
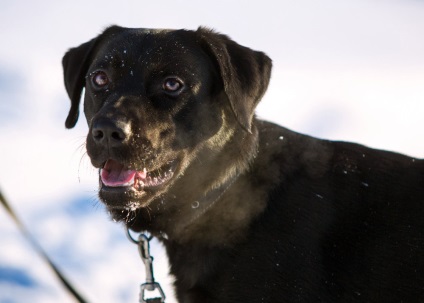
{"x":115,"y":174}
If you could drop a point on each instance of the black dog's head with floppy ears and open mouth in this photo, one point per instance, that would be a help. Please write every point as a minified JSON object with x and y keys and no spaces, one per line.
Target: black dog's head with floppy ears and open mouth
{"x":162,"y":106}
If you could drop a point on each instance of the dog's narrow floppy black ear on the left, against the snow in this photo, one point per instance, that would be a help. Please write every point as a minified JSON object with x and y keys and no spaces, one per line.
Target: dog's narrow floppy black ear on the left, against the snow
{"x":75,"y":65}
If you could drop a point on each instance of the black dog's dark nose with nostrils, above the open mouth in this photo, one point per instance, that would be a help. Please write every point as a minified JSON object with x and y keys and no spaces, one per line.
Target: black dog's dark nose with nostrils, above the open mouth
{"x":109,"y":133}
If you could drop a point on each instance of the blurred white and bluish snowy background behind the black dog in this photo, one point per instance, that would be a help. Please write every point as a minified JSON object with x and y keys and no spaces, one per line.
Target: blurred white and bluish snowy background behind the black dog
{"x":349,"y":70}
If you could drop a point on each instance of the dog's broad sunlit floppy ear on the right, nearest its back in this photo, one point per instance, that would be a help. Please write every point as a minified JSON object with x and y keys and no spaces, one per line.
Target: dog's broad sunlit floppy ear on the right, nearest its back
{"x":245,"y":73}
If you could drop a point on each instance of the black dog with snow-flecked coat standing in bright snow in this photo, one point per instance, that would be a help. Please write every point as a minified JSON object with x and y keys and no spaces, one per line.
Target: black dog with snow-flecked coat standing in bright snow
{"x":248,"y":211}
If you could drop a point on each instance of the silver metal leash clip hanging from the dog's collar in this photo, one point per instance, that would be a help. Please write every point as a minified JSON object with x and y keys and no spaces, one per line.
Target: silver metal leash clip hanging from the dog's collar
{"x":150,"y":284}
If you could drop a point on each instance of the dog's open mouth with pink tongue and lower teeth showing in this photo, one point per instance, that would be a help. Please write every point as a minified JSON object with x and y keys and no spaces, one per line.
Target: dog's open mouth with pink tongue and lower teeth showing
{"x":116,"y":175}
